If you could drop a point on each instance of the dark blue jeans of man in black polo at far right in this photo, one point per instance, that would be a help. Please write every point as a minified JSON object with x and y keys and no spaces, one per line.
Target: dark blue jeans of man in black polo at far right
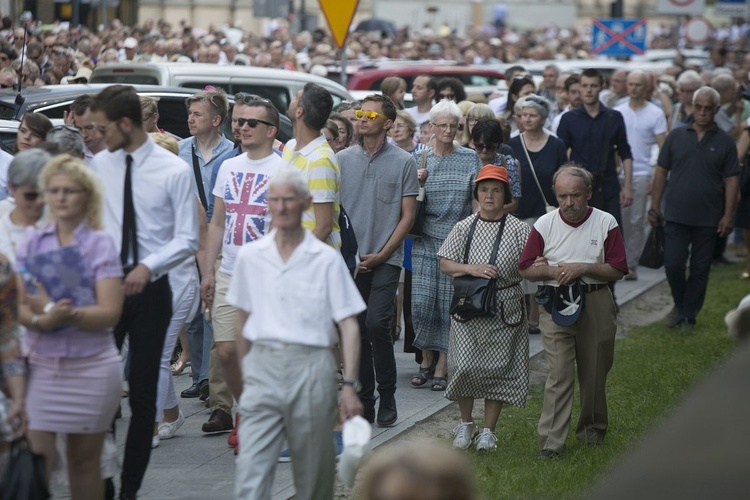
{"x":688,"y":291}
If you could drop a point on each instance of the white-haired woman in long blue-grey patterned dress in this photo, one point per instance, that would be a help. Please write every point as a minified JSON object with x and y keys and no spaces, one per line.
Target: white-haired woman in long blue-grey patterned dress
{"x":450,"y":170}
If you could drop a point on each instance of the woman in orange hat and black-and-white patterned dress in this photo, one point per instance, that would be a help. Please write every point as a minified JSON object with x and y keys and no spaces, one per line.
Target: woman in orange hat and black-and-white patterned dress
{"x":489,"y":356}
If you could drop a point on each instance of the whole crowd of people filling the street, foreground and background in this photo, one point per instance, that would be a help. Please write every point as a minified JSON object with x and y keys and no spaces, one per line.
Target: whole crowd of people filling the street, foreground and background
{"x":230,"y":247}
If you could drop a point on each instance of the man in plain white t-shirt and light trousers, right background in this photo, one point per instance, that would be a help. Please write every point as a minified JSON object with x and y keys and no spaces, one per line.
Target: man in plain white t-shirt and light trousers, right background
{"x":646,"y":126}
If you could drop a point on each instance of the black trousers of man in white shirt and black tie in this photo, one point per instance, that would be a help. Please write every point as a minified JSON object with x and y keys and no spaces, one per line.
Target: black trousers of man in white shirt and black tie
{"x":145,"y":318}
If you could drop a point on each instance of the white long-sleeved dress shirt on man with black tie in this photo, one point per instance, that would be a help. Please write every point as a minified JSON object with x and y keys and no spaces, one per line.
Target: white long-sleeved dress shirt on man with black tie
{"x":166,"y":219}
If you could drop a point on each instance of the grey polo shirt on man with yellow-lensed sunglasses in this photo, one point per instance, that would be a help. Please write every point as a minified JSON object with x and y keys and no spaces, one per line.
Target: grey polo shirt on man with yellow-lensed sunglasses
{"x":371,"y":191}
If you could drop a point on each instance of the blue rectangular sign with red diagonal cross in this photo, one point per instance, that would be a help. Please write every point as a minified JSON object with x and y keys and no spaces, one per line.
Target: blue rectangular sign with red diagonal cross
{"x":618,"y":37}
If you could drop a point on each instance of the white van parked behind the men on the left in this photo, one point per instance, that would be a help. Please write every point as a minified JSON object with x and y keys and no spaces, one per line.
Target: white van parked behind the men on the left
{"x":276,"y":85}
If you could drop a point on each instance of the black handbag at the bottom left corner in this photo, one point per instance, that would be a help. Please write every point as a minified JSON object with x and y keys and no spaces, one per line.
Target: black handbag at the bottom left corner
{"x":24,"y":478}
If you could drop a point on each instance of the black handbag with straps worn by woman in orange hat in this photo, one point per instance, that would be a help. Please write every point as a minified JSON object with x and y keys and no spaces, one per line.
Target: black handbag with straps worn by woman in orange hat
{"x":474,"y":297}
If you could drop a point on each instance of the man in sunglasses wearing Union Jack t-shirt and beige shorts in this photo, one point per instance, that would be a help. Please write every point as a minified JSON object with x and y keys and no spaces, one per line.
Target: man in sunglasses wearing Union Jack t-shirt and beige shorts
{"x":240,"y":216}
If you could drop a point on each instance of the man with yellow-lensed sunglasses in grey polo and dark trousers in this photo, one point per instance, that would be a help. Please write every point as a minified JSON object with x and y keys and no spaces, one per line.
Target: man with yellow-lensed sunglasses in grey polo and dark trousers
{"x":379,"y":188}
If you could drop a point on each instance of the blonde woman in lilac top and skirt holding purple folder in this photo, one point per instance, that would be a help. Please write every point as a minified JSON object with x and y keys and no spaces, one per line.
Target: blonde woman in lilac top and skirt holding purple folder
{"x":74,"y":378}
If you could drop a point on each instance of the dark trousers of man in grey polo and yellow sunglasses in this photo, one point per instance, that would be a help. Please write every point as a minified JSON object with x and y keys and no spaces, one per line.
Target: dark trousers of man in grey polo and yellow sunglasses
{"x":377,"y":359}
